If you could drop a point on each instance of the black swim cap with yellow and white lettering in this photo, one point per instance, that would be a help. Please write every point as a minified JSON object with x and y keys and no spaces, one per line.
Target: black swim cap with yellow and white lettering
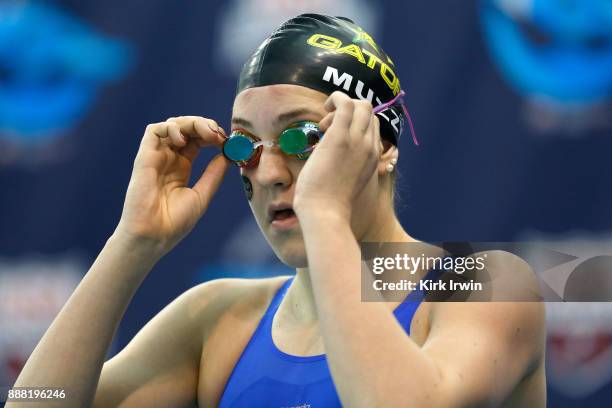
{"x":328,"y":54}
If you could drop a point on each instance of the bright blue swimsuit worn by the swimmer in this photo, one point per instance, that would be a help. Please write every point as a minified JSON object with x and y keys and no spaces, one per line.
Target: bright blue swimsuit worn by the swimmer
{"x":267,"y":377}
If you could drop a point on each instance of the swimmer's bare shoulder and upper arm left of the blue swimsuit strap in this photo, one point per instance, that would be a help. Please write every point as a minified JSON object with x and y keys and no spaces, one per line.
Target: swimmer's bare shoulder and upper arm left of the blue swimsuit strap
{"x":165,"y":358}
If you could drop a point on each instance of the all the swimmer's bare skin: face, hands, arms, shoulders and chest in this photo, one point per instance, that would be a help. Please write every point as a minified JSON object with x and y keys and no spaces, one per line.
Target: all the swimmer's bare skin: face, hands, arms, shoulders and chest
{"x":458,"y":354}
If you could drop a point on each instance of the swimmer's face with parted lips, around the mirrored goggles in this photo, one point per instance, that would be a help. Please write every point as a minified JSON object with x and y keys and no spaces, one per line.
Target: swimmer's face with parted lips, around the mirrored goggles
{"x":265,"y":112}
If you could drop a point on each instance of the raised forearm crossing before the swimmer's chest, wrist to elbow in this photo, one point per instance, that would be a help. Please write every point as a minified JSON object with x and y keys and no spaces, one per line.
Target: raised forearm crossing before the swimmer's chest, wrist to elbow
{"x":372,"y":360}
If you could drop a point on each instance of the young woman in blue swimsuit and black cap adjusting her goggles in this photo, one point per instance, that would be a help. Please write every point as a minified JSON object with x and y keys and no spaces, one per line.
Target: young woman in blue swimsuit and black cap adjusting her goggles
{"x":318,"y":163}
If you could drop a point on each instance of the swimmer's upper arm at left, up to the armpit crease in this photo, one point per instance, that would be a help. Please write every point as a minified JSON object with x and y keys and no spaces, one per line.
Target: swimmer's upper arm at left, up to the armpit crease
{"x":159,"y":367}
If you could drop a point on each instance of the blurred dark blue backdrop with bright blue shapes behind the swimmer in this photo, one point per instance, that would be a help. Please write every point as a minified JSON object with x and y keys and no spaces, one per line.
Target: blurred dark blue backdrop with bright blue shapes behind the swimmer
{"x":512,"y":104}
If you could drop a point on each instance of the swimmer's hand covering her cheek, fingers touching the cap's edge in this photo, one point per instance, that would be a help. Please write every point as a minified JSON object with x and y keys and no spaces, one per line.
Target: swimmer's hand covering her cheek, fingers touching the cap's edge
{"x":343,"y":162}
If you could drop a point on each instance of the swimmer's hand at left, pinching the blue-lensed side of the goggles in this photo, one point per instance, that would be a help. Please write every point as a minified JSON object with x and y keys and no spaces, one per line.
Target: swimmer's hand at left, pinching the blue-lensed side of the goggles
{"x":160,"y":208}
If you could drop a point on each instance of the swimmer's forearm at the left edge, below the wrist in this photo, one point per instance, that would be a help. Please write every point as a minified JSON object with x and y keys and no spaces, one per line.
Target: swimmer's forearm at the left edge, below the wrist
{"x":71,"y":353}
